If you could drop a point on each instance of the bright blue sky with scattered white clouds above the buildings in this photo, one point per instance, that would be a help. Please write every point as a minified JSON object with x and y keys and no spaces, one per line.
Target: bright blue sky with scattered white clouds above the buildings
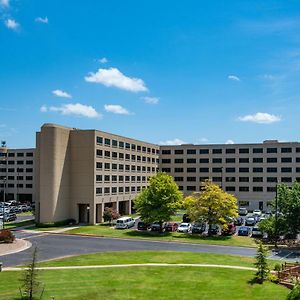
{"x":166,"y":72}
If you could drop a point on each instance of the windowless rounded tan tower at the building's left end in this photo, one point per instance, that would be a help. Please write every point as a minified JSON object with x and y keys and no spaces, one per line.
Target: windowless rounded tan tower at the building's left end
{"x":53,"y":173}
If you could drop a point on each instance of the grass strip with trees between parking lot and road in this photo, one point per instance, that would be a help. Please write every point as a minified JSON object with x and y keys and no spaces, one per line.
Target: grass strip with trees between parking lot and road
{"x":106,"y":231}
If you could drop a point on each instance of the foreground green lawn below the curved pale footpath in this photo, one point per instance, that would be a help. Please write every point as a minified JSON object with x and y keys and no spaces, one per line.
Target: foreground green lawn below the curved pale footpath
{"x":146,"y":283}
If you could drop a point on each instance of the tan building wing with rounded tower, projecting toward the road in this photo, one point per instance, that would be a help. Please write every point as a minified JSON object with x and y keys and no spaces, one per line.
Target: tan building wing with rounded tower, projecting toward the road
{"x":80,"y":172}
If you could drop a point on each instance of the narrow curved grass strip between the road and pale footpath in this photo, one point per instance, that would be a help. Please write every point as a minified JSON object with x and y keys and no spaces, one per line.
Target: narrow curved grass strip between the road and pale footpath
{"x":136,"y":257}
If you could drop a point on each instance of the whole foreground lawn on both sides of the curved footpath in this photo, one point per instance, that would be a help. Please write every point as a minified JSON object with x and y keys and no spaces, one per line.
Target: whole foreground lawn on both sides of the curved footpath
{"x":147,"y":282}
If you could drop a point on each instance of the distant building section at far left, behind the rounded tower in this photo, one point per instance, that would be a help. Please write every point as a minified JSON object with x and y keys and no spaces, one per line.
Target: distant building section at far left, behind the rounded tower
{"x":17,"y":174}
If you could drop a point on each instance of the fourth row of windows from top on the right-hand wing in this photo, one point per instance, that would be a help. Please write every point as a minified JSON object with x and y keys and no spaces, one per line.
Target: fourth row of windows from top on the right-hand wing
{"x":235,"y":179}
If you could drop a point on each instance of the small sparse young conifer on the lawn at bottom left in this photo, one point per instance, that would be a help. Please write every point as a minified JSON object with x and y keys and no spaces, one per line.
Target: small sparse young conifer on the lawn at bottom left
{"x":30,"y":283}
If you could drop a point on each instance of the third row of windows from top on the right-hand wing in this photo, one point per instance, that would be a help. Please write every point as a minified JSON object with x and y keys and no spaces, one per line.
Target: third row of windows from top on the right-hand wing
{"x":233,"y":170}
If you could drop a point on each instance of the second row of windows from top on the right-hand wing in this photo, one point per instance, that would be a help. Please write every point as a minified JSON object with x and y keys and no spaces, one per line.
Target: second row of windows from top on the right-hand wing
{"x":231,"y":160}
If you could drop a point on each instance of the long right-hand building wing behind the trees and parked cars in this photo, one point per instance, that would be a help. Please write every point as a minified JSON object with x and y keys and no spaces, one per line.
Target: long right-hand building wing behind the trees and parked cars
{"x":249,"y":171}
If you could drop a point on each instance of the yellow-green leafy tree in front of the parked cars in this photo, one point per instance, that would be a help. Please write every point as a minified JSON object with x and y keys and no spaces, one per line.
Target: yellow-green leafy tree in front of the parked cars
{"x":211,"y":205}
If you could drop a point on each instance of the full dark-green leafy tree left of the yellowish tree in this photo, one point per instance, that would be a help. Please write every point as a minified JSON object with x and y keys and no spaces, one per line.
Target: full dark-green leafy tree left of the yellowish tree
{"x":160,"y":200}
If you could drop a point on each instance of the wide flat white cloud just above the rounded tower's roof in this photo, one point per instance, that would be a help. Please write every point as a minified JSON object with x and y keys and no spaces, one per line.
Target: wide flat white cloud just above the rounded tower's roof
{"x":76,"y":109}
